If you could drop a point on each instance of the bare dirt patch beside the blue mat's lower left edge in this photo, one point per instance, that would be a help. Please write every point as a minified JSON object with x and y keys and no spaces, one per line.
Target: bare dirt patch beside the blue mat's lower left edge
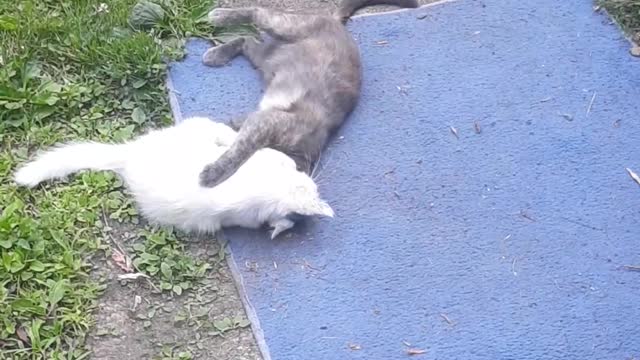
{"x":134,"y":321}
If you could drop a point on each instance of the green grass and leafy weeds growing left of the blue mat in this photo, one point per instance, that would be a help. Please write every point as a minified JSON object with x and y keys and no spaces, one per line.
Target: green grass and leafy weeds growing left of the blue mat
{"x":73,"y":69}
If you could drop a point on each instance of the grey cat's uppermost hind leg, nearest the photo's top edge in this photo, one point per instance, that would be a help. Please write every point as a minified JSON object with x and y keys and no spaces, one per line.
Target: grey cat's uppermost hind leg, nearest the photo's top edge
{"x":282,"y":25}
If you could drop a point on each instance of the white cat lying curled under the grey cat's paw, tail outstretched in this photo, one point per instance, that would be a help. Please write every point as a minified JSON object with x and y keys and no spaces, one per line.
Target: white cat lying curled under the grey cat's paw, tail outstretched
{"x":161,"y":170}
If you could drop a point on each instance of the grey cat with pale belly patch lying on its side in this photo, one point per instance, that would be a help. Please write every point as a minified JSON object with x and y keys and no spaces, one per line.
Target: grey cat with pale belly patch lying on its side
{"x":312,"y":74}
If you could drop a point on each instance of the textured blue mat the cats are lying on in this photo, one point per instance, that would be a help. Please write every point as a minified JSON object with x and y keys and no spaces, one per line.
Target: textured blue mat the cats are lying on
{"x":516,"y":235}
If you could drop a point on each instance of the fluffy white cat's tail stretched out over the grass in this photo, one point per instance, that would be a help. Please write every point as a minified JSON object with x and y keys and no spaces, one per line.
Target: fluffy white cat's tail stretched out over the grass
{"x":70,"y":158}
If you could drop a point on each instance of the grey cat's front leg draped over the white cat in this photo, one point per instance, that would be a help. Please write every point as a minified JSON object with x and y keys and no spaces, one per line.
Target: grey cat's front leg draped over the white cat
{"x":253,"y":136}
